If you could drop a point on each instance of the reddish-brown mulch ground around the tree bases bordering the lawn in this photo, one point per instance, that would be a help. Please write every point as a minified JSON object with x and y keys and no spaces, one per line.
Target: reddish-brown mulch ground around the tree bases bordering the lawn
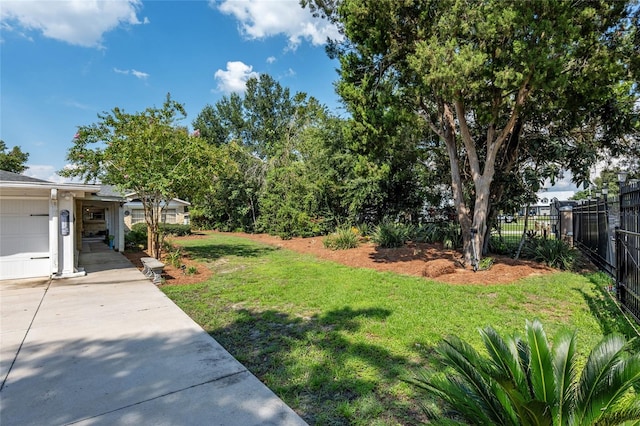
{"x":423,"y":260}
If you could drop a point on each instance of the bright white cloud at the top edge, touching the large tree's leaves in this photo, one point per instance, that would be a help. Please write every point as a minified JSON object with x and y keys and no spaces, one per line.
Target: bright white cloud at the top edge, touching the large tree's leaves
{"x":261,"y":19}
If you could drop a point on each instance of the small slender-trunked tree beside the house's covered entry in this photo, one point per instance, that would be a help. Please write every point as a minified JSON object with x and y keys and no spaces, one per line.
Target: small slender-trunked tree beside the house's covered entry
{"x":145,"y":153}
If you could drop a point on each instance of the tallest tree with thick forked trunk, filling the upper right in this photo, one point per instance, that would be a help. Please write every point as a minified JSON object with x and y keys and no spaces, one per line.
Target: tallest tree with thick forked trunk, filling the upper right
{"x":510,"y":89}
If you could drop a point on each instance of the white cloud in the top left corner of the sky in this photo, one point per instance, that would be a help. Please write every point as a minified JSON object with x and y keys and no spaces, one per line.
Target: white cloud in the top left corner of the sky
{"x":77,"y":22}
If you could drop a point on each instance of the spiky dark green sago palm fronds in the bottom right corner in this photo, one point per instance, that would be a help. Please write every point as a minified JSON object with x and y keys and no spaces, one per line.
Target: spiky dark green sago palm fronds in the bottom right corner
{"x":526,"y":381}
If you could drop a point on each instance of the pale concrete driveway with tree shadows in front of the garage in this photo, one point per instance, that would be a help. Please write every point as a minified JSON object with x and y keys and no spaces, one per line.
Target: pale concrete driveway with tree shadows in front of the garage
{"x":111,"y":349}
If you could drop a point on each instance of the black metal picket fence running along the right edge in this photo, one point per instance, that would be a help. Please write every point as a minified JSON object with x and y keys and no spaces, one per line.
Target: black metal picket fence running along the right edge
{"x":608,"y":232}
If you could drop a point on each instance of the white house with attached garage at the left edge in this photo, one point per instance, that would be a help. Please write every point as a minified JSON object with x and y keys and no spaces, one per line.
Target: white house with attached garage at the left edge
{"x":42,"y":225}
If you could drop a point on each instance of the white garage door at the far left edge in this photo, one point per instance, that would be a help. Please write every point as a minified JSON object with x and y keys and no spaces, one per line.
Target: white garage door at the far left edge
{"x":24,"y":239}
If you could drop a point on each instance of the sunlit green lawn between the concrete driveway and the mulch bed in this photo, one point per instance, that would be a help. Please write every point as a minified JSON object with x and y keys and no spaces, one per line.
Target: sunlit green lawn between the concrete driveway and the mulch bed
{"x":335,"y":342}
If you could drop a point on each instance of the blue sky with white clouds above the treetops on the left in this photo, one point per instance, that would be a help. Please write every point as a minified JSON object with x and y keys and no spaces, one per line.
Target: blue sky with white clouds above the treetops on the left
{"x":63,"y":62}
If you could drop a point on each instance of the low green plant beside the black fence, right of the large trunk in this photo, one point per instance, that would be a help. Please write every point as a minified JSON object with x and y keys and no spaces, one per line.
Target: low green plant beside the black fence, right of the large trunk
{"x":552,"y":252}
